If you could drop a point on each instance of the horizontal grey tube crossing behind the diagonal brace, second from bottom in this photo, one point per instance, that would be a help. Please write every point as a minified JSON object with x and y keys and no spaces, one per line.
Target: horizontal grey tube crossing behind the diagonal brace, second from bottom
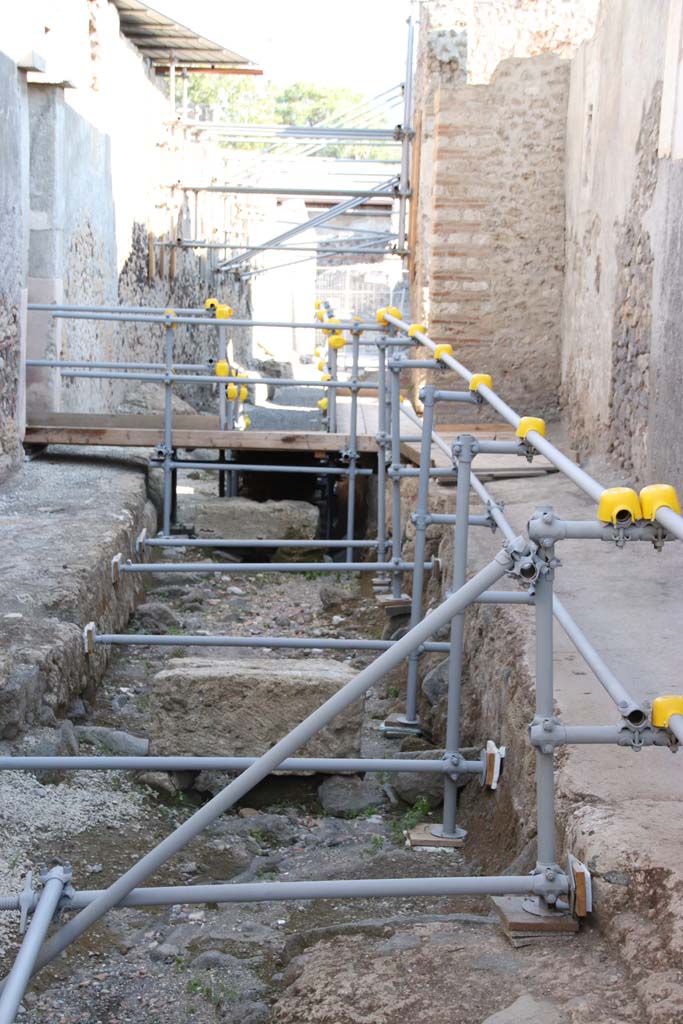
{"x":322,"y":765}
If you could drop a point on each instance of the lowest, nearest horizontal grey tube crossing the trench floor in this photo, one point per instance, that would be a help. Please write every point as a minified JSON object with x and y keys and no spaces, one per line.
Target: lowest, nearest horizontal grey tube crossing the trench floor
{"x":253,"y":892}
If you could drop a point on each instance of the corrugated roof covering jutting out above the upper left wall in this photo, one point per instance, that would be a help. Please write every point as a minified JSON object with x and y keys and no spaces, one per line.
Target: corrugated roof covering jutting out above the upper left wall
{"x":161,"y":39}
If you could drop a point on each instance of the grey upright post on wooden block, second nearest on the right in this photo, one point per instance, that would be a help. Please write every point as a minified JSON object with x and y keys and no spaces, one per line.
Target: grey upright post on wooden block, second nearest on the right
{"x":462,"y":451}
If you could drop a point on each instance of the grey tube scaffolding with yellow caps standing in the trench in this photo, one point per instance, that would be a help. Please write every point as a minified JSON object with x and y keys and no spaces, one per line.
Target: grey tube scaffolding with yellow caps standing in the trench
{"x":554,"y":891}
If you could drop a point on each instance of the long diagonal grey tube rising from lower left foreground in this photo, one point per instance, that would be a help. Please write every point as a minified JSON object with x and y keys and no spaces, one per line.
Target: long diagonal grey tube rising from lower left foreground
{"x":270,"y":761}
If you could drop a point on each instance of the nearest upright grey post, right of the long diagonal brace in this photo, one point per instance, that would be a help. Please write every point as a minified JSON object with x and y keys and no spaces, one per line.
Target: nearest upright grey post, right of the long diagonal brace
{"x":545,"y":773}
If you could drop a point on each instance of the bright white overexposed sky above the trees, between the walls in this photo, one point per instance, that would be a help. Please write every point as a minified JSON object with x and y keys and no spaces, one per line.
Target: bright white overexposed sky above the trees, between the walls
{"x":356,"y":44}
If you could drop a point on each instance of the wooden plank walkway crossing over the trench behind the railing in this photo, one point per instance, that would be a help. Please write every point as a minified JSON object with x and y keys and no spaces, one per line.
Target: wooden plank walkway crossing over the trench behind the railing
{"x":189,"y":433}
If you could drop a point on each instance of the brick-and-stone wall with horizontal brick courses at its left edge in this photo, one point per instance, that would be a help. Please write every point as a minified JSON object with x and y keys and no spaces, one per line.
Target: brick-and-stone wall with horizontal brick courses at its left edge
{"x":497,"y":230}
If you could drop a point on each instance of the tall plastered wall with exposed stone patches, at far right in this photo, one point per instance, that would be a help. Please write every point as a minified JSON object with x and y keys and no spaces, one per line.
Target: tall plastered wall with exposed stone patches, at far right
{"x":621,"y":230}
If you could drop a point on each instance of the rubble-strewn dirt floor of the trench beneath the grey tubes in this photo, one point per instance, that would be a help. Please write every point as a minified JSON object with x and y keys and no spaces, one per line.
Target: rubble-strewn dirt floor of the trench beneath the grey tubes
{"x":369,"y":961}
